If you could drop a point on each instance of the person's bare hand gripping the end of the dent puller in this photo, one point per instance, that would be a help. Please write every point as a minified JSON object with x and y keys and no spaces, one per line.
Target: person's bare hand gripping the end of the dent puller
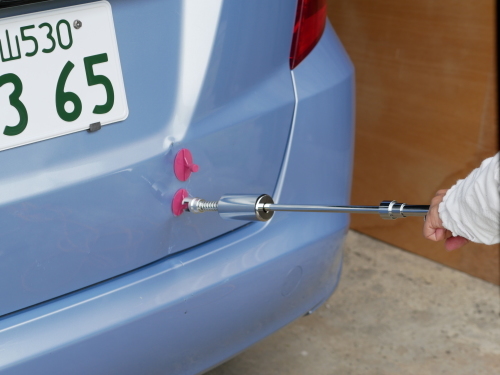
{"x":433,"y":226}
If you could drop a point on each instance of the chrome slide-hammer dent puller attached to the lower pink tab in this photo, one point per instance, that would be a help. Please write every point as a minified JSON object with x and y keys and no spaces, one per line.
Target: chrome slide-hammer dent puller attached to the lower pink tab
{"x":262,"y":207}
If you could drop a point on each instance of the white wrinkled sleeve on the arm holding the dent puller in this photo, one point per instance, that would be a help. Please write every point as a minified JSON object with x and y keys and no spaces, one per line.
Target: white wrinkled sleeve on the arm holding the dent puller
{"x":471,"y":208}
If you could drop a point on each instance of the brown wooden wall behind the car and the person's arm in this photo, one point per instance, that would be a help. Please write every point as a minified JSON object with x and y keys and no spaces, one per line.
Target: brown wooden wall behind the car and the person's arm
{"x":426,"y":110}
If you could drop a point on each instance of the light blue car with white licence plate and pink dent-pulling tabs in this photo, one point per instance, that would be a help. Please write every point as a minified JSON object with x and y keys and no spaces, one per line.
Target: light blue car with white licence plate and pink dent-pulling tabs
{"x":109,"y":111}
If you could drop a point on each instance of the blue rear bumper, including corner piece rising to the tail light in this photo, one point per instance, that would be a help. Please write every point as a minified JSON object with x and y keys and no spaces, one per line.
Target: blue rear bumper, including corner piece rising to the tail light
{"x":194,"y":309}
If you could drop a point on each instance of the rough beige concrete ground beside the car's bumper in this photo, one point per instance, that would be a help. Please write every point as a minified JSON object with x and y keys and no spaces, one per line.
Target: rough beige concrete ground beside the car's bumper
{"x":393,"y":313}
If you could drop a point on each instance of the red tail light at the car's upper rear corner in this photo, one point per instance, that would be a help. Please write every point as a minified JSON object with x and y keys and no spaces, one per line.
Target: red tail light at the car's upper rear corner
{"x":309,"y":25}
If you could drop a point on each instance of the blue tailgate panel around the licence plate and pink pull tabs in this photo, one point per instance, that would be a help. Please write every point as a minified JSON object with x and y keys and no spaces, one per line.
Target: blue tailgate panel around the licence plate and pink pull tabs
{"x":82,"y":208}
